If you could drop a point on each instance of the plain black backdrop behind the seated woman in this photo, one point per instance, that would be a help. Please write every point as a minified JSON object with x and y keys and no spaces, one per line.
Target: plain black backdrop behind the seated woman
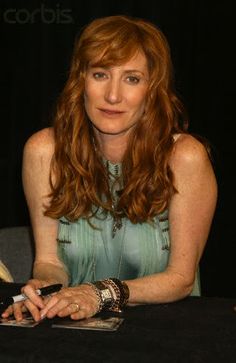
{"x":36,"y":44}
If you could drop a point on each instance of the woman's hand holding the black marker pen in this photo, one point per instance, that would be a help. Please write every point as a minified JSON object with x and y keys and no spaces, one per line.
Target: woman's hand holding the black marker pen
{"x":33,"y":304}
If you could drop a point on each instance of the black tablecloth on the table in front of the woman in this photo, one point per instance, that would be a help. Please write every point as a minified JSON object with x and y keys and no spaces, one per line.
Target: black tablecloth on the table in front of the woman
{"x":193,"y":330}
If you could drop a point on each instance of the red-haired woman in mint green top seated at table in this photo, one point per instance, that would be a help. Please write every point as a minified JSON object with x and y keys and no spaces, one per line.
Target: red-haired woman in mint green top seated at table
{"x":121,"y":197}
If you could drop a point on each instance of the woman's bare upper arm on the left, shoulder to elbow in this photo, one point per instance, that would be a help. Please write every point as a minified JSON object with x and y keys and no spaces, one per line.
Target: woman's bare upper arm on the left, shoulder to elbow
{"x":38,"y":152}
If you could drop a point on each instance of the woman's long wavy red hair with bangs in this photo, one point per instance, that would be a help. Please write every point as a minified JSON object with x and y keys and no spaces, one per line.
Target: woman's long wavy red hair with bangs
{"x":80,"y":183}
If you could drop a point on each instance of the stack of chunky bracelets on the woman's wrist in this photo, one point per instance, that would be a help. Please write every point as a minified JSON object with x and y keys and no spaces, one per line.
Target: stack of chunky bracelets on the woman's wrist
{"x":112,"y":294}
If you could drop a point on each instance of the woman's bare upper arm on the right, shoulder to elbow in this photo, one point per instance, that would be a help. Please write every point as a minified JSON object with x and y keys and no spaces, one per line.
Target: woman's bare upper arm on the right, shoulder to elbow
{"x":192,"y":207}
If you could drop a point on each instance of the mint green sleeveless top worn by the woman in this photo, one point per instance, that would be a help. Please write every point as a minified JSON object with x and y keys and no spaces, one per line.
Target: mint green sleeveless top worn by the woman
{"x":90,"y":252}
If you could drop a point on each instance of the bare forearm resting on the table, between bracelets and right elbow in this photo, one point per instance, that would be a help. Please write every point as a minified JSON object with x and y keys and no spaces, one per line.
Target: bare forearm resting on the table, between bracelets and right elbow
{"x":158,"y":288}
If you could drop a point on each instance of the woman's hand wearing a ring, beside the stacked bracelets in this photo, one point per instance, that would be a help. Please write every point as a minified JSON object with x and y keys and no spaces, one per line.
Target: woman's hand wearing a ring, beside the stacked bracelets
{"x":78,"y":302}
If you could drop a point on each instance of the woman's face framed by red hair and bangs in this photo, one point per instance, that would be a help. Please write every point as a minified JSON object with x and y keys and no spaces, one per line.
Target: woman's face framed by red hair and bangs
{"x":115,"y":96}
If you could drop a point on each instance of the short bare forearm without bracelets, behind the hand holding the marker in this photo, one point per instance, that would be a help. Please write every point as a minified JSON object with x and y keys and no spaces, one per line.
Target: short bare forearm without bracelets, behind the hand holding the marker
{"x":50,"y":272}
